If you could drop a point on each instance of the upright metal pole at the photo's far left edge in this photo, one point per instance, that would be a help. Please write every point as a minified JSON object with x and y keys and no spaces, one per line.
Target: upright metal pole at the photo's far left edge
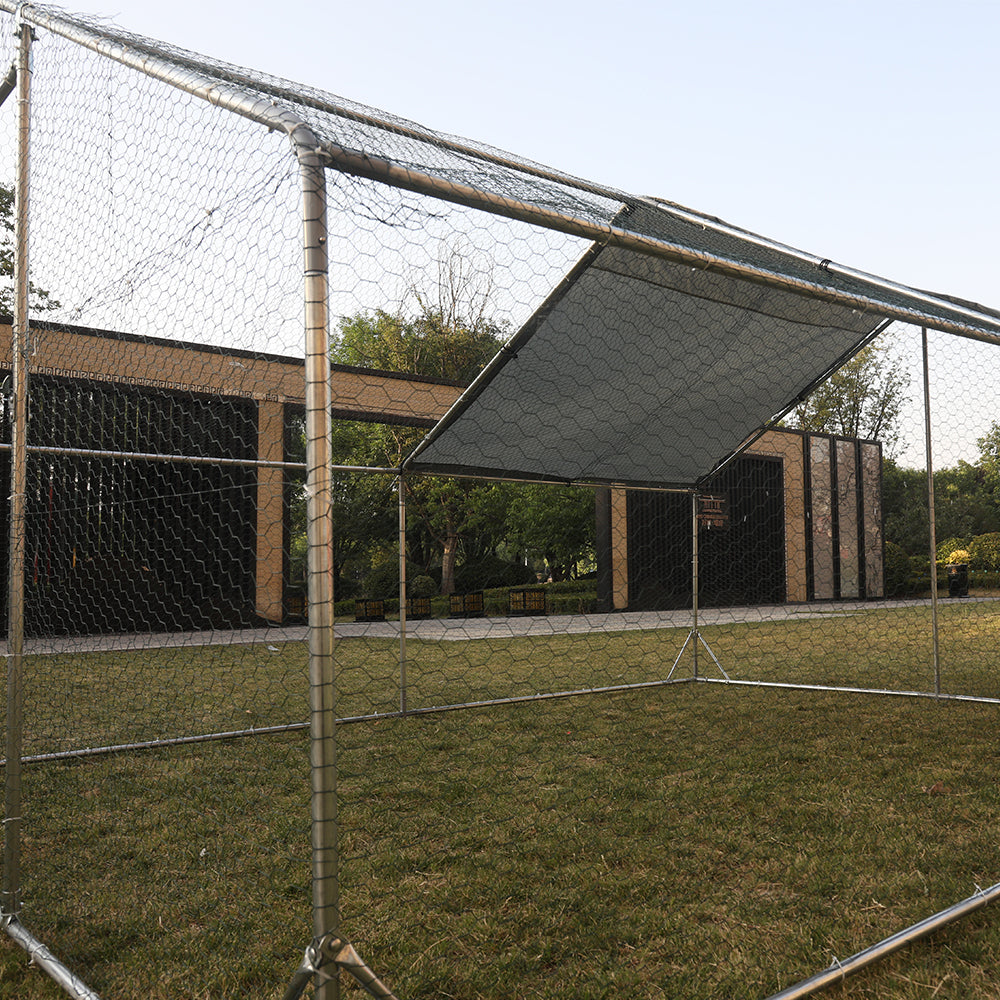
{"x":18,"y":460}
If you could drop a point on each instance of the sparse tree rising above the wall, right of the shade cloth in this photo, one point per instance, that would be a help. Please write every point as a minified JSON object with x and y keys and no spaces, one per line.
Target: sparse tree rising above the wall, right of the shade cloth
{"x":862,"y":399}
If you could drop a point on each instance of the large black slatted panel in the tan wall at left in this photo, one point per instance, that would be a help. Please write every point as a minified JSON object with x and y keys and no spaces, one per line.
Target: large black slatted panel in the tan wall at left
{"x":118,"y":545}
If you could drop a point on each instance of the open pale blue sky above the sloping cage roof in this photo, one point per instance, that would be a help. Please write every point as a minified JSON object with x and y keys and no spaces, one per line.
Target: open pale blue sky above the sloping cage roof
{"x":863,"y":132}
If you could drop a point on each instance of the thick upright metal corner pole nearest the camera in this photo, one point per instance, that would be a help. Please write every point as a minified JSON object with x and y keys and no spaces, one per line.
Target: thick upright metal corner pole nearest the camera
{"x":322,"y":690}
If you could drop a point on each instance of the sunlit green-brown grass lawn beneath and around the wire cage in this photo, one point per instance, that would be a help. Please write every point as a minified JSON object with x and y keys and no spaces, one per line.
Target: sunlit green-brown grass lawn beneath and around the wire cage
{"x":687,"y":841}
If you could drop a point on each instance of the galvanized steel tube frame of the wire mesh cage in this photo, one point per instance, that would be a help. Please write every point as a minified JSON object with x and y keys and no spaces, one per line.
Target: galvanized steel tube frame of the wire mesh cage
{"x":314,"y":158}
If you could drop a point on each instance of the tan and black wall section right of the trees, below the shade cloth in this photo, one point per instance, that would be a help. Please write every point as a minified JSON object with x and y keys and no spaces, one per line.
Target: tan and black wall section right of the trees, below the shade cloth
{"x":797,"y":517}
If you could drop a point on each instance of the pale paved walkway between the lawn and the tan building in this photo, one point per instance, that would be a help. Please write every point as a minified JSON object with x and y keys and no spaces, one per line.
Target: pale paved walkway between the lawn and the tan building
{"x":480,"y":628}
